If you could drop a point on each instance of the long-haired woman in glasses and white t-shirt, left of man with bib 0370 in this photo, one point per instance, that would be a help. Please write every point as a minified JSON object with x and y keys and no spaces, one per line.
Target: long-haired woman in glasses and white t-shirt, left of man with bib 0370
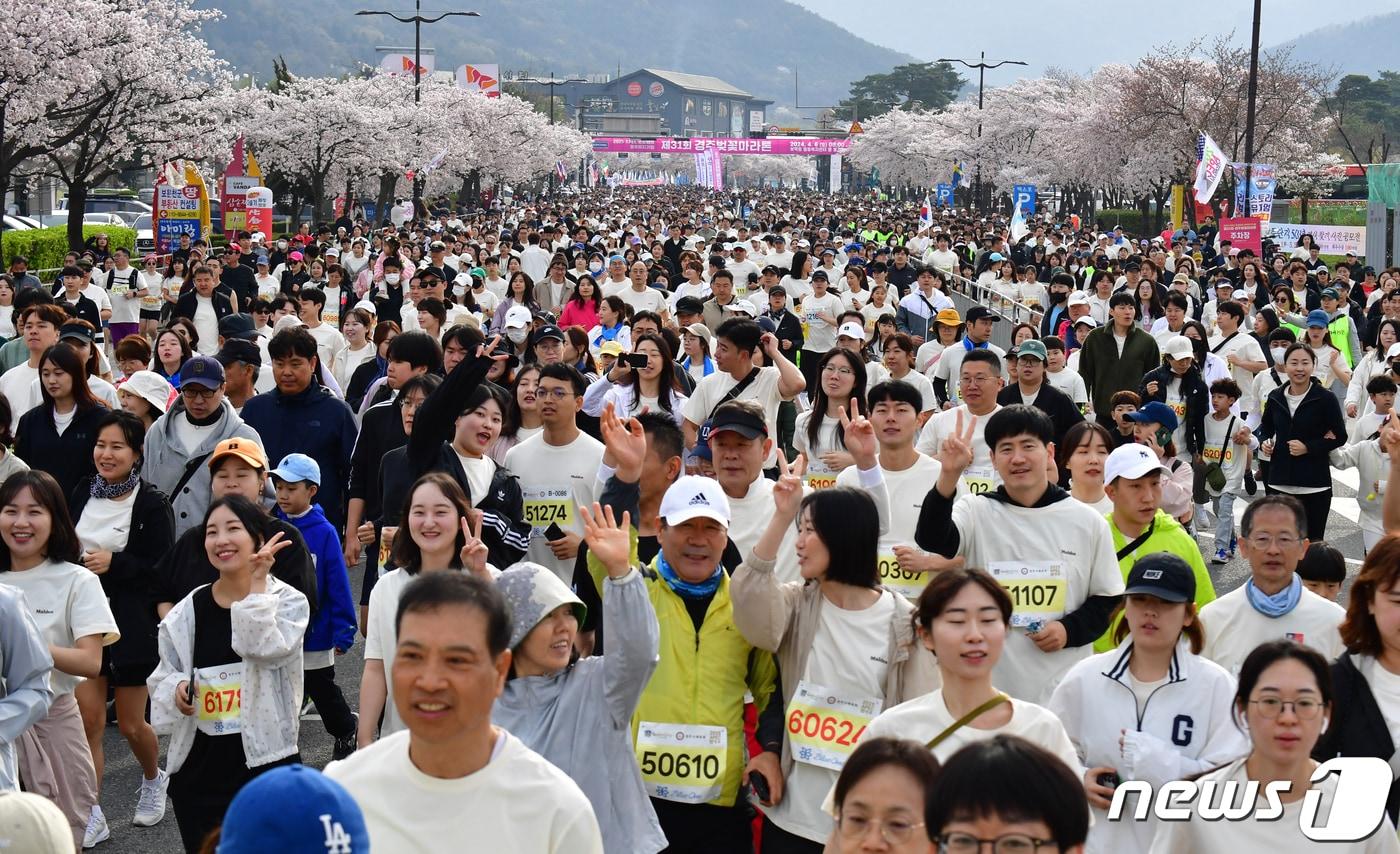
{"x":820,"y":436}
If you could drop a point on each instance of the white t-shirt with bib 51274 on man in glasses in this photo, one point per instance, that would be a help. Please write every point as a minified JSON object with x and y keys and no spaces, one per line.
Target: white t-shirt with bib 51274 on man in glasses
{"x":555,"y":482}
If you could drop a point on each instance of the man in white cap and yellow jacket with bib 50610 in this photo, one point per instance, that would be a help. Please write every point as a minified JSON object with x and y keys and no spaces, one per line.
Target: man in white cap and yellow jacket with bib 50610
{"x":694,"y":705}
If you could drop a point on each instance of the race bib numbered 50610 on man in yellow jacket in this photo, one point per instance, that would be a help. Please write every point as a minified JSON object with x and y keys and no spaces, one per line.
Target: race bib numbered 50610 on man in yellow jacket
{"x":681,"y":762}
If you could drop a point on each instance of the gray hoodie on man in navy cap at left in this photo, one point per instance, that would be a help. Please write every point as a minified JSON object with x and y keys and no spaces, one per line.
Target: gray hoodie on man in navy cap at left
{"x":166,"y":461}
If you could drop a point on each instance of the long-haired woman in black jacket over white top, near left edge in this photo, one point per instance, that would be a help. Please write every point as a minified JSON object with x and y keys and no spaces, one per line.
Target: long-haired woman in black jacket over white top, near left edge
{"x":58,"y":435}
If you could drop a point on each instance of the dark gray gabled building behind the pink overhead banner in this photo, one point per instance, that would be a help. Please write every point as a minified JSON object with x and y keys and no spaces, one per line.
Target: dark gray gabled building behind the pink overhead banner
{"x":652,"y":103}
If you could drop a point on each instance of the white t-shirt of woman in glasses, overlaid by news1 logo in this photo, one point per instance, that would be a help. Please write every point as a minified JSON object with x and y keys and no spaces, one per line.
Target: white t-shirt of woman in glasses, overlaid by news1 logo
{"x":1263,"y":838}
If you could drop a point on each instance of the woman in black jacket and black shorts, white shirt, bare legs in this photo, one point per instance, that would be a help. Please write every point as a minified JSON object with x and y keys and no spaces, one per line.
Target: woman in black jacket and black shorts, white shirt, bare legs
{"x":125,"y":527}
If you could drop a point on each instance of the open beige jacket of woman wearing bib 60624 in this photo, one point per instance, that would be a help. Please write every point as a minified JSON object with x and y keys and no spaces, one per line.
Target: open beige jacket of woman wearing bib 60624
{"x":783,"y":619}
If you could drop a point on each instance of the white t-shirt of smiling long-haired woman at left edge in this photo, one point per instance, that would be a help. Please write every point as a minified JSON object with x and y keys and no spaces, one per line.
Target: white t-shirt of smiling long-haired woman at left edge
{"x":66,"y":603}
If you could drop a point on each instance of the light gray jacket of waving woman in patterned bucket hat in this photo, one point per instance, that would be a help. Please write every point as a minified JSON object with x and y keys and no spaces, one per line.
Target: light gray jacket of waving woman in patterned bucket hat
{"x":580,"y":719}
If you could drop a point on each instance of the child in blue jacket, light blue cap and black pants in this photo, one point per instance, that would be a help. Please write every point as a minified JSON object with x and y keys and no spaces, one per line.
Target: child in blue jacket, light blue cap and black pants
{"x":334,"y":626}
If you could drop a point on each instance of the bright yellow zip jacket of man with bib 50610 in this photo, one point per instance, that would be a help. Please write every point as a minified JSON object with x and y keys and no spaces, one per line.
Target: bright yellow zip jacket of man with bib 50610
{"x":702,"y":678}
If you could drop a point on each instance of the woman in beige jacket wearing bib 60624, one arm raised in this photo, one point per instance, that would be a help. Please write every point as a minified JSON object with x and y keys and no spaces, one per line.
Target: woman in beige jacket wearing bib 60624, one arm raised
{"x":843,"y":643}
